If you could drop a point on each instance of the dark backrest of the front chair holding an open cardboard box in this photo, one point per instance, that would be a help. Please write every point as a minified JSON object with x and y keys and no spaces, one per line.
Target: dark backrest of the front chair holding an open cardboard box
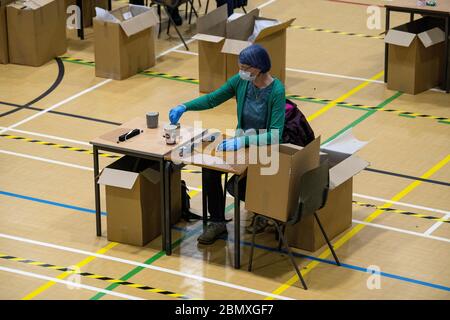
{"x":314,"y":185}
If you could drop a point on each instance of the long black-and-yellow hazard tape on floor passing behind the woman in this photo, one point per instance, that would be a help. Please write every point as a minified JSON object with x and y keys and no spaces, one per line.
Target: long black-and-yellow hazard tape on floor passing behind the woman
{"x":342,"y":104}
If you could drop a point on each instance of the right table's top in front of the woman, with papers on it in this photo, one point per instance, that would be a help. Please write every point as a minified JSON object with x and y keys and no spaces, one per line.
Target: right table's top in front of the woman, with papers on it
{"x":206,"y":156}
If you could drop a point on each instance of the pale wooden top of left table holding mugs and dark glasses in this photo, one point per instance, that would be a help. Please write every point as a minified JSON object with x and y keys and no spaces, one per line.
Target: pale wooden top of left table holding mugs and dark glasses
{"x":149,"y":143}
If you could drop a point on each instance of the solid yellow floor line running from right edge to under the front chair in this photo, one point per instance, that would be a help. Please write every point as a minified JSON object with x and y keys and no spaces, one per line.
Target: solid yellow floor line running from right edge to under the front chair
{"x":350,"y":234}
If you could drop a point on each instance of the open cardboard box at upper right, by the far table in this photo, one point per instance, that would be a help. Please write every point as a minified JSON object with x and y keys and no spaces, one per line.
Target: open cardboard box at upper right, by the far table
{"x":416,"y":56}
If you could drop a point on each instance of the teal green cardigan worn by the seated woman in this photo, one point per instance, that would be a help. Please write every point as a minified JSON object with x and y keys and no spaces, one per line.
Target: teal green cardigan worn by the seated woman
{"x":236,"y":87}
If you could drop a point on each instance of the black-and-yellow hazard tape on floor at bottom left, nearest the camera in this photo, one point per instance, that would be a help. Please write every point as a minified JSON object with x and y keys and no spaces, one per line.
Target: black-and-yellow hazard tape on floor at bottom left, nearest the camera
{"x":95,"y":276}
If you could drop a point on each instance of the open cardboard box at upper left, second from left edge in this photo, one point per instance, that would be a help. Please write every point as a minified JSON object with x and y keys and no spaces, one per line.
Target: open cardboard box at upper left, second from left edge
{"x":125,"y":45}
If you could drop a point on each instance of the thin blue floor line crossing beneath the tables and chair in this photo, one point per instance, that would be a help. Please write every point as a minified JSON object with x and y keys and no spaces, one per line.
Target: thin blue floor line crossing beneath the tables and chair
{"x":344,"y":265}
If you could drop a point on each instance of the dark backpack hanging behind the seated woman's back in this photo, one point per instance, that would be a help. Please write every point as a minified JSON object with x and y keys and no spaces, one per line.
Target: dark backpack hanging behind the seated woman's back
{"x":296,"y":127}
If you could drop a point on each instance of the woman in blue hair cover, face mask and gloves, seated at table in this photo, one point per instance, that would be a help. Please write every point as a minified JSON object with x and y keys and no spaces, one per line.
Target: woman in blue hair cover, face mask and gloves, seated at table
{"x":261,"y":104}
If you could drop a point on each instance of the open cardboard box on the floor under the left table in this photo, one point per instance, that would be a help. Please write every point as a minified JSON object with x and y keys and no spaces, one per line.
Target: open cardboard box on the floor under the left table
{"x":133,"y":200}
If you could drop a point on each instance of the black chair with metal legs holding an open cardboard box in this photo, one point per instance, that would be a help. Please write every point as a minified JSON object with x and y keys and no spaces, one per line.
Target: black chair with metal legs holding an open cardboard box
{"x":314,"y":185}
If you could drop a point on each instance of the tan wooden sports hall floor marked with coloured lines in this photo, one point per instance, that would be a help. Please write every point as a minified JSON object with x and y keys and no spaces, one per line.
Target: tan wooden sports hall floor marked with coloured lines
{"x":46,"y":193}
